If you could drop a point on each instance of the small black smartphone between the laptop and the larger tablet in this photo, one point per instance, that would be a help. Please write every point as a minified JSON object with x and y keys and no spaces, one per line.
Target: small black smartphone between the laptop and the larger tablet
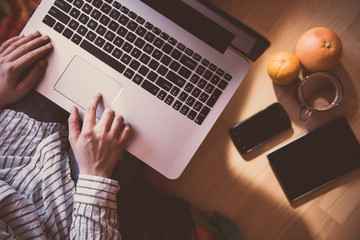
{"x":258,"y":129}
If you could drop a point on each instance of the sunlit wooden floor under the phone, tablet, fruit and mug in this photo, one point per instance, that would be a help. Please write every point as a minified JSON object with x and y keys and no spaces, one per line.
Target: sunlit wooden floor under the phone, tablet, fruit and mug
{"x":243,"y":187}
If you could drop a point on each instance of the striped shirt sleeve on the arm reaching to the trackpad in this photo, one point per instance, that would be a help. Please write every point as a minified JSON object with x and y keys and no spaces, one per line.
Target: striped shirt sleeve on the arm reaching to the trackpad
{"x":95,"y":210}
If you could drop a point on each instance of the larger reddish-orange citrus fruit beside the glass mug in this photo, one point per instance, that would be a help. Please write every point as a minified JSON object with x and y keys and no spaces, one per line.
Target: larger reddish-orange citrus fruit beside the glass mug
{"x":319,"y":49}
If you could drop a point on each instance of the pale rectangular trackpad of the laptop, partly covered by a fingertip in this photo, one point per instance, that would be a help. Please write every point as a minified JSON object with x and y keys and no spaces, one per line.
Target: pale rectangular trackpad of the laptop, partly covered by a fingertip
{"x":81,"y":80}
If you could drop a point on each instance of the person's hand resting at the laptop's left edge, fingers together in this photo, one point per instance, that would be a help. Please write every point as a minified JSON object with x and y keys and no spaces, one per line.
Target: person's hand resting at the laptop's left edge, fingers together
{"x":22,"y":64}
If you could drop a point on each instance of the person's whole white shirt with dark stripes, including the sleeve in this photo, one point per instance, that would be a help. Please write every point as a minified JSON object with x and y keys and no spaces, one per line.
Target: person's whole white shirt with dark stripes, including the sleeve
{"x":38,"y":199}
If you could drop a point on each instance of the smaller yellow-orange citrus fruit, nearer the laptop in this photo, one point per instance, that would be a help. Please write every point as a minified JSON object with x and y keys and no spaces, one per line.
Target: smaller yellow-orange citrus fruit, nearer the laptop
{"x":283,"y":68}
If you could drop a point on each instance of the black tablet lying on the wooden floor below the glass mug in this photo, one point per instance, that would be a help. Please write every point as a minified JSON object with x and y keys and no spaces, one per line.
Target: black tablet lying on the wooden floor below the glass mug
{"x":315,"y":159}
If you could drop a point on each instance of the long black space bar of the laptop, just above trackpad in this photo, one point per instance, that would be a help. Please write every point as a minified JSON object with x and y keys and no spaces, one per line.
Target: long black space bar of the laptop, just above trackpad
{"x":102,"y":56}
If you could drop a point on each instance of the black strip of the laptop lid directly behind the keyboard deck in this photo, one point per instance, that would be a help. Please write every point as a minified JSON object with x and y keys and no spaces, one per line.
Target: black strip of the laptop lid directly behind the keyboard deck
{"x":193,"y":21}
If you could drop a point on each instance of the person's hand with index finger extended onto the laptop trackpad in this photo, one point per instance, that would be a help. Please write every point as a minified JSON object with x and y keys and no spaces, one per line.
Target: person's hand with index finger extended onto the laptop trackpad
{"x":98,"y":145}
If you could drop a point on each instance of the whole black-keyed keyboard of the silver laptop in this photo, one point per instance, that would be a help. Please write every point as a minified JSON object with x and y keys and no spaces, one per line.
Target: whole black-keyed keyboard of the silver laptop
{"x":141,"y":52}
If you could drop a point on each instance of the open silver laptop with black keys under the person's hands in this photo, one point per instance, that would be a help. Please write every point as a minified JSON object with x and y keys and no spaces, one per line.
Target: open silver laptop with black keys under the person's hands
{"x":169,"y":67}
